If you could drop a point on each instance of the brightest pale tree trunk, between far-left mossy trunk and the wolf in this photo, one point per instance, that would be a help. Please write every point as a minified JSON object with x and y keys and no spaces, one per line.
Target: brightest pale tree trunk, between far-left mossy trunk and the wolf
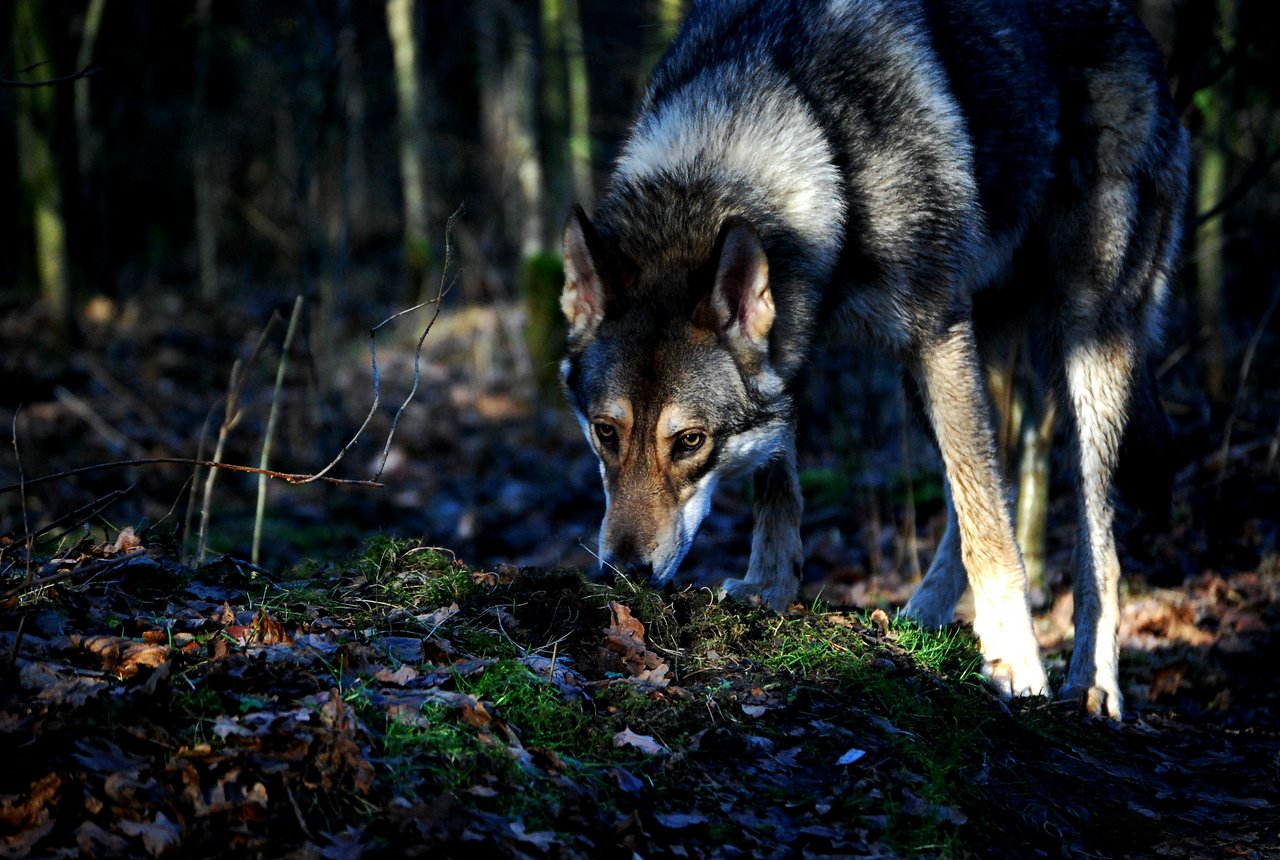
{"x":401,"y":16}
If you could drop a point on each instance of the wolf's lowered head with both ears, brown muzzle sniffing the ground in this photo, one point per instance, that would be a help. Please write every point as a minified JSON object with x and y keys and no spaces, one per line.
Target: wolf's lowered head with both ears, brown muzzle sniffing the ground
{"x":669,"y":372}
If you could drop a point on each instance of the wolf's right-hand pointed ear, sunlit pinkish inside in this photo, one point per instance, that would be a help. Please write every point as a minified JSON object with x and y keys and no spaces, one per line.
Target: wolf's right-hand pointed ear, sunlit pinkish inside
{"x":740,"y":305}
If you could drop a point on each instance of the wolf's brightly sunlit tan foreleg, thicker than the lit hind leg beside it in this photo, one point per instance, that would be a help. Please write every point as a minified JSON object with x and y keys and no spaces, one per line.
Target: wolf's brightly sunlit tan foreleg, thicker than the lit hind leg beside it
{"x":949,"y":373}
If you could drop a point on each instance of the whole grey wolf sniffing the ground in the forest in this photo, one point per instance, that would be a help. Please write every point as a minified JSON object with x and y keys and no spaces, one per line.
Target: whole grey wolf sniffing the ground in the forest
{"x":926,"y":176}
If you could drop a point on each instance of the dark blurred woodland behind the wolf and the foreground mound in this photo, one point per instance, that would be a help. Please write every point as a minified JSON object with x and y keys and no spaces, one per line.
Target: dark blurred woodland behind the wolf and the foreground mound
{"x":180,"y":172}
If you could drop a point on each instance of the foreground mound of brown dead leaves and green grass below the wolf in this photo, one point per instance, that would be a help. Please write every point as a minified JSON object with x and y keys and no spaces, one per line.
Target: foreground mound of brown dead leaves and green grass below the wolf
{"x":406,"y":706}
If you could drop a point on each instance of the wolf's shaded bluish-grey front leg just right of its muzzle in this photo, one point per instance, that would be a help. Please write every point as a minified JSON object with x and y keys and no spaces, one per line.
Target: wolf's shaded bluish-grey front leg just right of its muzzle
{"x":778,"y":556}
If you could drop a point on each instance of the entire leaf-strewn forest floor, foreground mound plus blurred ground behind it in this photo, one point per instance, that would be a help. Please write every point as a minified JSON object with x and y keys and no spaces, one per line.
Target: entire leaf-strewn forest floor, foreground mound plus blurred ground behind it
{"x":468,"y":690}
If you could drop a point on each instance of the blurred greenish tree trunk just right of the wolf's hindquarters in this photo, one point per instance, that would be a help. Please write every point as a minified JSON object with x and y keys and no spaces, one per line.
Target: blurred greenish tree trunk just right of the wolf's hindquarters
{"x":1215,"y":108}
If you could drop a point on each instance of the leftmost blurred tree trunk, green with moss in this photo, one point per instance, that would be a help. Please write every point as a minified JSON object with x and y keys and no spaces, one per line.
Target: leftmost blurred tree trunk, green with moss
{"x":39,"y":182}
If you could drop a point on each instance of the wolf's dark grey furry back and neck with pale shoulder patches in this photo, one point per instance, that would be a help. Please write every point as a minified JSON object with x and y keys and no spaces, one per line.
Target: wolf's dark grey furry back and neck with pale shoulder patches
{"x":880,"y":147}
